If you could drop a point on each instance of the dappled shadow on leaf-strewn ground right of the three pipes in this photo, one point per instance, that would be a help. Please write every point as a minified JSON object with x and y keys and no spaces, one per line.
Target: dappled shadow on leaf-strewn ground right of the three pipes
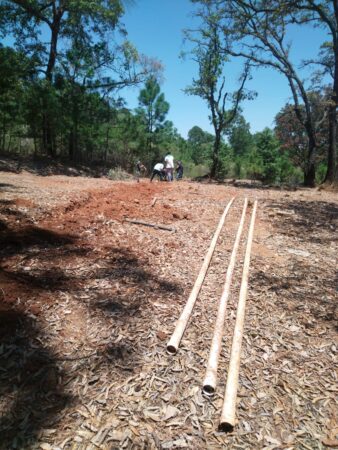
{"x":304,"y":286}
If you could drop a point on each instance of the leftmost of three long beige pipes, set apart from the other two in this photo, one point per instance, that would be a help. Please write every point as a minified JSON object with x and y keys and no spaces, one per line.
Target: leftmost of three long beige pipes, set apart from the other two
{"x":176,"y":337}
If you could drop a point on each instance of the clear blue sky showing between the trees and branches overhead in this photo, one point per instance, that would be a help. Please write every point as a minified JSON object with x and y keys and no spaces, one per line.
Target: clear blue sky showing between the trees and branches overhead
{"x":155,"y":27}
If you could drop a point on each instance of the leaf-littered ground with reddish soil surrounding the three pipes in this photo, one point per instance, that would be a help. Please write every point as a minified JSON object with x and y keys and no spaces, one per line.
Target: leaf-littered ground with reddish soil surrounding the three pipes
{"x":88,"y":302}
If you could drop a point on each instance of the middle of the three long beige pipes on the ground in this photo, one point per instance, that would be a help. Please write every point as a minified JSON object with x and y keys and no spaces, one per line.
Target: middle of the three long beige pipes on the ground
{"x":210,"y":379}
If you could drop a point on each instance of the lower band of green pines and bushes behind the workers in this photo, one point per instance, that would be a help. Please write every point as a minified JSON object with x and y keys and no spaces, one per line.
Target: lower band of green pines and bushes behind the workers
{"x":90,"y":128}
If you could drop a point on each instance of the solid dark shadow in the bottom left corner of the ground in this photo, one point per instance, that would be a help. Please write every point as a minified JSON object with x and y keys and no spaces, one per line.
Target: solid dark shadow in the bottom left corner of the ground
{"x":31,"y":387}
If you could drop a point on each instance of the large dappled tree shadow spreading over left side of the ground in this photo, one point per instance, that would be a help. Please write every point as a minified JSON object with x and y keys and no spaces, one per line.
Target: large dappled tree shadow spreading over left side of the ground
{"x":33,"y":378}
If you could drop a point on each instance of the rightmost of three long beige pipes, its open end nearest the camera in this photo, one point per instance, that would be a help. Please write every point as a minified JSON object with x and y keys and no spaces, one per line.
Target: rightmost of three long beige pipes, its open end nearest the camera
{"x":227,"y":422}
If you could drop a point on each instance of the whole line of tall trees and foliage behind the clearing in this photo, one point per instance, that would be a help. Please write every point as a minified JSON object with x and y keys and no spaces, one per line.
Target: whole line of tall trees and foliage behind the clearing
{"x":64,"y":65}
